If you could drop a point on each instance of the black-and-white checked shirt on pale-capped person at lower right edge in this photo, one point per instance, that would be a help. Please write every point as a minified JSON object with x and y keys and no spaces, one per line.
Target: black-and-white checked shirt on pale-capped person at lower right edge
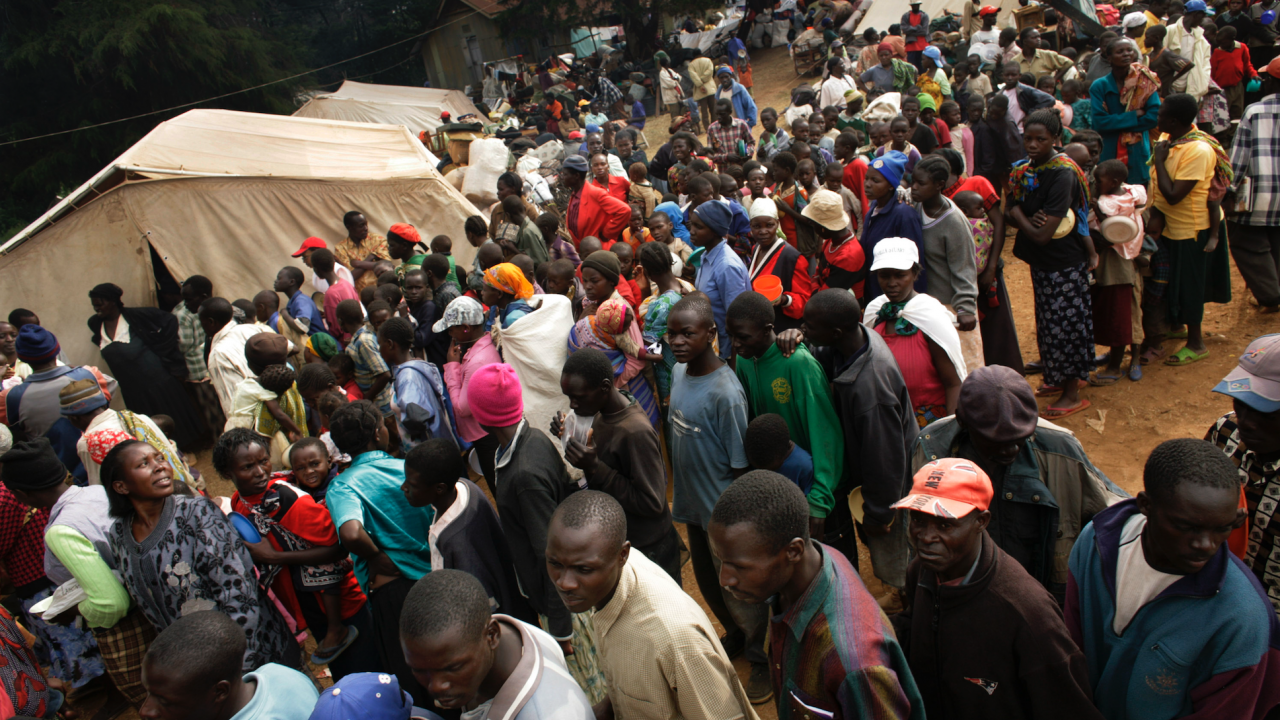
{"x":1261,"y":484}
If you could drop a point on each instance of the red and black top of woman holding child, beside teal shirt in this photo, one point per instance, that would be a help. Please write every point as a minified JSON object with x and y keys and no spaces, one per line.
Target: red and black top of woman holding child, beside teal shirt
{"x":295,"y":512}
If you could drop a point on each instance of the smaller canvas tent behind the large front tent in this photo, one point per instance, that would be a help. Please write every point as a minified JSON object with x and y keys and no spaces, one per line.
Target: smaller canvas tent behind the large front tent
{"x":415,"y":108}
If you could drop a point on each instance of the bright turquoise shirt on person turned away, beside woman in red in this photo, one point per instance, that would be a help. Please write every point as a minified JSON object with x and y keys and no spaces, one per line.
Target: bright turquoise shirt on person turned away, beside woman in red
{"x":371,"y":491}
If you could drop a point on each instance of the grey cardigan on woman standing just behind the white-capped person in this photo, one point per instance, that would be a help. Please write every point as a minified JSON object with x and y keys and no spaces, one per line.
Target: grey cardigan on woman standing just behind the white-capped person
{"x":950,"y":266}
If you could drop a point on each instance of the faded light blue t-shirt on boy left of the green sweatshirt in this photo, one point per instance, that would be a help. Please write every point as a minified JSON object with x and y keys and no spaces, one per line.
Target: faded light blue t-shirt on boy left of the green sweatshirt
{"x":708,"y":425}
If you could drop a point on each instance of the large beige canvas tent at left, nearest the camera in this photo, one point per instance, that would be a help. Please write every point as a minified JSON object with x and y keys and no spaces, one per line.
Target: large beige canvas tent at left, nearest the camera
{"x":226,"y":195}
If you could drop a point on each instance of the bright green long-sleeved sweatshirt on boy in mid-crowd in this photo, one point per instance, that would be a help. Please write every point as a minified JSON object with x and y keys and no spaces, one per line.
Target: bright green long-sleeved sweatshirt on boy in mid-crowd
{"x":797,"y":389}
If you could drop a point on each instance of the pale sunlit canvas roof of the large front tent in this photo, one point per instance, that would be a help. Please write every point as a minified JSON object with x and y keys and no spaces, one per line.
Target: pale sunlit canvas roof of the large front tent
{"x":232,"y":144}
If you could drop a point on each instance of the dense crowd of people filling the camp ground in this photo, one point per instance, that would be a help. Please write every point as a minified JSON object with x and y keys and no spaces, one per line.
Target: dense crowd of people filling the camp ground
{"x":456,"y":480}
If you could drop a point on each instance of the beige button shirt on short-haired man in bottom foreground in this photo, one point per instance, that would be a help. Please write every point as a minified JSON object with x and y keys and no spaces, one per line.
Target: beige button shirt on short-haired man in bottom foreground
{"x":661,"y":655}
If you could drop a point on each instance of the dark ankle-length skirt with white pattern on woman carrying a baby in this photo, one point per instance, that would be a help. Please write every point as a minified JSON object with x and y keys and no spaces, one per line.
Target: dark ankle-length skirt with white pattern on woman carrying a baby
{"x":1064,"y":323}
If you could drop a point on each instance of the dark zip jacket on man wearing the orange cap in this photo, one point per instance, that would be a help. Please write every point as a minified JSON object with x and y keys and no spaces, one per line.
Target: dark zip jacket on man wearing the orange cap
{"x":995,"y":649}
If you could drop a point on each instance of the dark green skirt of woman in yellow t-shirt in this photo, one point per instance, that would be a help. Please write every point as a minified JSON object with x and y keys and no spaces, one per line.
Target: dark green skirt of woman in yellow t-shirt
{"x":1197,"y":277}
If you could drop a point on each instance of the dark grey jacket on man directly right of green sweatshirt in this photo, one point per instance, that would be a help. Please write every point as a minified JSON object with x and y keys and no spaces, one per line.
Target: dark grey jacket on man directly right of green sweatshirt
{"x":879,"y":422}
